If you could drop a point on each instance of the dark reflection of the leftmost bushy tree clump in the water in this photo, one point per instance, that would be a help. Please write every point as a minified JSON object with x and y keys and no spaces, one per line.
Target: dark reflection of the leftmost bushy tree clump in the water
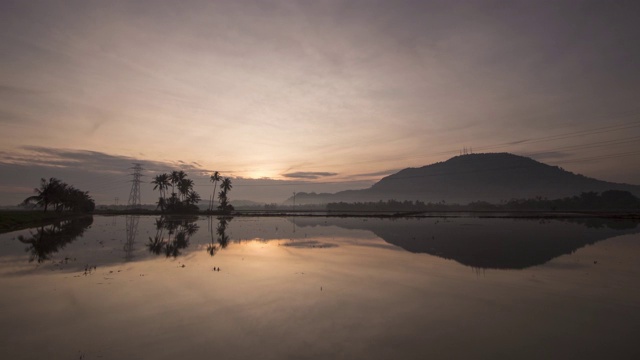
{"x":51,"y":238}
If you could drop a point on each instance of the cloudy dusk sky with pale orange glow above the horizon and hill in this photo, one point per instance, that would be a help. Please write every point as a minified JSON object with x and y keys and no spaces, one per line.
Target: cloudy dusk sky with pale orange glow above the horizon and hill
{"x":321,"y":96}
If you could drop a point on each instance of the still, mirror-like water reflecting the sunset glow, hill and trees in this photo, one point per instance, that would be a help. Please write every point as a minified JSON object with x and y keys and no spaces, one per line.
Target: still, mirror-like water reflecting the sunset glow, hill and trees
{"x":321,"y":288}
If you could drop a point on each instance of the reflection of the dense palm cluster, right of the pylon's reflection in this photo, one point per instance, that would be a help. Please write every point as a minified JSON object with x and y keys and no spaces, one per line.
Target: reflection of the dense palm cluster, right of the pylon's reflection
{"x":172,"y":235}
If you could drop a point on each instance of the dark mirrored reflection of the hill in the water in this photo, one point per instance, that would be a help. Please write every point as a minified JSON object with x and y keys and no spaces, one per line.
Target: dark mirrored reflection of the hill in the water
{"x":487,"y":243}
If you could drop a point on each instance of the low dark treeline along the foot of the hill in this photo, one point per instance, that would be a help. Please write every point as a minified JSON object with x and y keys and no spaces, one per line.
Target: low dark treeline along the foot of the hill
{"x":611,"y":200}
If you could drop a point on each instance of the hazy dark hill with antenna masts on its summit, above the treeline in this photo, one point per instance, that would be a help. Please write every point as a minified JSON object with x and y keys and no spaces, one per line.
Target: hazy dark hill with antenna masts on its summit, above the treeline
{"x":491,"y":177}
